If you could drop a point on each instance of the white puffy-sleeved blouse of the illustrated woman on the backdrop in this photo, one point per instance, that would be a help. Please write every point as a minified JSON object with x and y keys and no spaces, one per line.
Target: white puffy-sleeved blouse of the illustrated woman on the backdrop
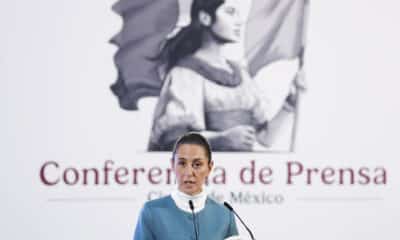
{"x":191,"y":101}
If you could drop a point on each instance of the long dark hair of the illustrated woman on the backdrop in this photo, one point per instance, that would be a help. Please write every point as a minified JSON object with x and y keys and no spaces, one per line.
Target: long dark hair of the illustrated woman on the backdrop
{"x":190,"y":38}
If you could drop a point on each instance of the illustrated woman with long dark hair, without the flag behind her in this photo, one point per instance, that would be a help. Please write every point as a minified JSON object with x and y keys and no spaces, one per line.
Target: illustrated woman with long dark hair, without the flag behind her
{"x":203,"y":91}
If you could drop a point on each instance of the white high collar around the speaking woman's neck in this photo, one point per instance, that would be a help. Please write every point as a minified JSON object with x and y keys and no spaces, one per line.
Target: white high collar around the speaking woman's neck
{"x":182,"y":200}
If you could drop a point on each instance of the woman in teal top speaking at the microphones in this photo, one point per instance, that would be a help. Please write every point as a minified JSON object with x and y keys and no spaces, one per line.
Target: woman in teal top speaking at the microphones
{"x":172,"y":217}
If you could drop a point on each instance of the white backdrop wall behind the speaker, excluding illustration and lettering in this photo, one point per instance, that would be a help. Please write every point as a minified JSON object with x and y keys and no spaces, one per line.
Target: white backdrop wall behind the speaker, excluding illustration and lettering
{"x":55,"y":70}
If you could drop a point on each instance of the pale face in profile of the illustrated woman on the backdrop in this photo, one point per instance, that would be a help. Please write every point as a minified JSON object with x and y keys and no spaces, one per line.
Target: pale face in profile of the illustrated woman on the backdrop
{"x":228,"y":22}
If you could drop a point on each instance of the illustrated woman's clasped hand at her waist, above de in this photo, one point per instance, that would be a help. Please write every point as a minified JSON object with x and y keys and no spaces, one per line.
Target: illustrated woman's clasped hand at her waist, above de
{"x":240,"y":138}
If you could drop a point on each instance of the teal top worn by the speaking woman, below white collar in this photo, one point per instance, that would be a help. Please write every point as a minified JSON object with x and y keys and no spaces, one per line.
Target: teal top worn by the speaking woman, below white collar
{"x":161,"y":219}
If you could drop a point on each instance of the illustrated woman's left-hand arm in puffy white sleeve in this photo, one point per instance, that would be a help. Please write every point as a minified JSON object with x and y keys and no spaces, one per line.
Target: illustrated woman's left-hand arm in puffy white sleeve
{"x":180,"y":108}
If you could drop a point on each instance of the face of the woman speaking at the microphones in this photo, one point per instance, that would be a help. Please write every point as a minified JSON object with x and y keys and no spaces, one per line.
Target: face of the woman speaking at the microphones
{"x":191,"y":167}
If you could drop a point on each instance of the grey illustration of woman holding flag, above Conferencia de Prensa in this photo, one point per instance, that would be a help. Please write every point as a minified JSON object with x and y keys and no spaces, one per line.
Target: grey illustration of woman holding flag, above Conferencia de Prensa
{"x":230,"y":69}
